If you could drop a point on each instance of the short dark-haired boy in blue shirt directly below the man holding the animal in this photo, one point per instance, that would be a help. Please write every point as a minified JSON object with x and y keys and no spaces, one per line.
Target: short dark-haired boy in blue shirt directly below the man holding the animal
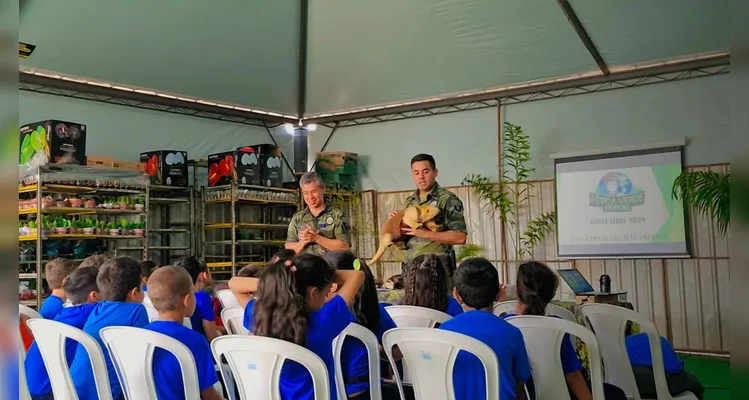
{"x":477,"y":288}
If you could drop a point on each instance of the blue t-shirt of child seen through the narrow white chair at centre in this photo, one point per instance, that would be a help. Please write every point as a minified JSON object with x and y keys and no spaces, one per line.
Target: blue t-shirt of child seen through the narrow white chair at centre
{"x":354,"y":359}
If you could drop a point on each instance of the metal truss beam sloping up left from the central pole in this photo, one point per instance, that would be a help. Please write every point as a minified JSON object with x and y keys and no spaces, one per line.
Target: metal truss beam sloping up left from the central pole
{"x":133,"y":96}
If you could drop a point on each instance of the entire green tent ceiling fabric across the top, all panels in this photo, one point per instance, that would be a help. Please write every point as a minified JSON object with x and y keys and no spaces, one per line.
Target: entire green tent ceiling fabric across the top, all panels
{"x":360,"y":53}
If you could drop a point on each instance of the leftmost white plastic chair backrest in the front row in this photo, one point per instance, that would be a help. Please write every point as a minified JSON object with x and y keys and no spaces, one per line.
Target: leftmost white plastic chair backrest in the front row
{"x":50,"y":336}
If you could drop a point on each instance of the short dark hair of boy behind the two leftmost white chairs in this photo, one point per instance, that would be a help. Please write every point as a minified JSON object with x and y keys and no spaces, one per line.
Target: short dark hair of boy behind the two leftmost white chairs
{"x":117,"y":277}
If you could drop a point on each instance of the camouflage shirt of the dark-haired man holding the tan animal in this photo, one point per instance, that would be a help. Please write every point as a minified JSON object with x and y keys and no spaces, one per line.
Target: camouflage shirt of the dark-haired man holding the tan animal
{"x":450,"y":218}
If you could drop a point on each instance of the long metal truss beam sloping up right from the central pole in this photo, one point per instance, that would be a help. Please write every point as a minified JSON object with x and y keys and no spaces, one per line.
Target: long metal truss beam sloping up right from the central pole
{"x":510,"y":91}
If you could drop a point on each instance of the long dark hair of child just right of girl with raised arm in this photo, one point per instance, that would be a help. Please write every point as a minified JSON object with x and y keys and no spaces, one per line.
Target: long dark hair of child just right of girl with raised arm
{"x":366,"y":306}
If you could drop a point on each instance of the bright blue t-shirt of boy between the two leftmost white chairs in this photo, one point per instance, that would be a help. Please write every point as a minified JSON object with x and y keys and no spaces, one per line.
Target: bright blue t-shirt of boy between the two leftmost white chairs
{"x":105,"y":314}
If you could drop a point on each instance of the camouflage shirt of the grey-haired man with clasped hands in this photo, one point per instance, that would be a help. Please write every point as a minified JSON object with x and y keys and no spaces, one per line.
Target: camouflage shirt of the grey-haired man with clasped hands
{"x":329,"y":224}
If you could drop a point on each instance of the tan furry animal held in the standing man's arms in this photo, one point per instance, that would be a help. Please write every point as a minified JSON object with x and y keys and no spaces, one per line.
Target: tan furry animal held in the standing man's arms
{"x":414,"y":217}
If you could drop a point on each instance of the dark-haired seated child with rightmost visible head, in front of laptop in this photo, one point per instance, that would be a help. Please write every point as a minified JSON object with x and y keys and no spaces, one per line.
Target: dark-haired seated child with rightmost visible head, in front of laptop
{"x":536,"y":287}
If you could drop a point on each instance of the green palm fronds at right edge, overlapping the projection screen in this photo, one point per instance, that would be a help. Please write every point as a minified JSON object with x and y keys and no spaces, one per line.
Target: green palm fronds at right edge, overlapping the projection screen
{"x":707,"y":192}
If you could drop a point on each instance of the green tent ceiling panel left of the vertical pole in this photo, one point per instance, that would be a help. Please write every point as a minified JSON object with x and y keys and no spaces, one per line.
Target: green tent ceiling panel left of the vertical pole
{"x":232,"y":51}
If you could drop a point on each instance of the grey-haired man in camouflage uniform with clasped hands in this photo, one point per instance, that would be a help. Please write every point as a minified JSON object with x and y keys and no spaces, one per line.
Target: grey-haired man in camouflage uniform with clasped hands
{"x":317,"y":228}
